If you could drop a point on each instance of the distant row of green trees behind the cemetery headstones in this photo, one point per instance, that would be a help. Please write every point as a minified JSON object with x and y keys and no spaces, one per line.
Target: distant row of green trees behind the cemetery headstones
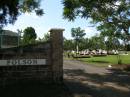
{"x":100,"y":41}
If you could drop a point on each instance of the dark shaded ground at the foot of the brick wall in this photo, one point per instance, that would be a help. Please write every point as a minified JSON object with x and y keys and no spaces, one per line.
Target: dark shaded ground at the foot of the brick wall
{"x":34,"y":89}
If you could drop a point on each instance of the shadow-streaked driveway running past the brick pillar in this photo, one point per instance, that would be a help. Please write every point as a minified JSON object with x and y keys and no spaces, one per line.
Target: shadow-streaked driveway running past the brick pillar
{"x":90,"y":81}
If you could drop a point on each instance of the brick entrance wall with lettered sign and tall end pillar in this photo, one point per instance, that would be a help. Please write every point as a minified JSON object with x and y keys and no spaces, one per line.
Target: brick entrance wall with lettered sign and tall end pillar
{"x":42,"y":61}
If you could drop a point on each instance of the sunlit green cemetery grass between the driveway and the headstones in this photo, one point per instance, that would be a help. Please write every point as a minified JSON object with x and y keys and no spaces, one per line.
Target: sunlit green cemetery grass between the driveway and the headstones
{"x":104,"y":61}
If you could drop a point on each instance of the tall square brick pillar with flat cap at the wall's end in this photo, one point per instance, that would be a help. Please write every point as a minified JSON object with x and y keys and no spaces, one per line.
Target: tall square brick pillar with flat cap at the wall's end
{"x":57,"y":54}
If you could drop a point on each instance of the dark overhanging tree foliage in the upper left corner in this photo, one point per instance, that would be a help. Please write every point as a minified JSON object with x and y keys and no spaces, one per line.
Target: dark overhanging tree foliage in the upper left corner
{"x":11,"y":9}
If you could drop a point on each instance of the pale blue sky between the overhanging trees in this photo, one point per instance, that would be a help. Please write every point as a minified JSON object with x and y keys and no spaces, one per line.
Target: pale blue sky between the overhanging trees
{"x":52,"y":18}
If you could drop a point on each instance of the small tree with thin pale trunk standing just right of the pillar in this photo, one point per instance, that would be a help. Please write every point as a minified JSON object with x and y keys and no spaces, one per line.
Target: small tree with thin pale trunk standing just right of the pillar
{"x":78,"y":34}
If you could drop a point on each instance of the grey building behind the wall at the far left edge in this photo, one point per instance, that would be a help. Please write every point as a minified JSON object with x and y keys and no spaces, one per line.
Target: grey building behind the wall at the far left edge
{"x":8,"y":39}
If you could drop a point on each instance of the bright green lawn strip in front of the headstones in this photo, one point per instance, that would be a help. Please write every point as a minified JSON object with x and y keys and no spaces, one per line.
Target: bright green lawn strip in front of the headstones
{"x":106,"y":60}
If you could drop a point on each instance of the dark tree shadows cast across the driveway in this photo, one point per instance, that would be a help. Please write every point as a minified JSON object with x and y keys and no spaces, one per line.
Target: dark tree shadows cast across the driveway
{"x":117,"y":76}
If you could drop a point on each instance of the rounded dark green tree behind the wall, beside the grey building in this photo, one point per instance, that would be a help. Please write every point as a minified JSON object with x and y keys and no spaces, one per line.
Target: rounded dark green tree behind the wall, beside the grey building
{"x":29,"y":36}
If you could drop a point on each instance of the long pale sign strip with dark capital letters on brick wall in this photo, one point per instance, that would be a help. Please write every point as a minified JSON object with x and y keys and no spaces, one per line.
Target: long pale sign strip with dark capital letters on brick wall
{"x":22,"y":62}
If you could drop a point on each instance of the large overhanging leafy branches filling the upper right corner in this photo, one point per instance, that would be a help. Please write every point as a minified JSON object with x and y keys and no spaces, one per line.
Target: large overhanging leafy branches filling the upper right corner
{"x":109,"y":14}
